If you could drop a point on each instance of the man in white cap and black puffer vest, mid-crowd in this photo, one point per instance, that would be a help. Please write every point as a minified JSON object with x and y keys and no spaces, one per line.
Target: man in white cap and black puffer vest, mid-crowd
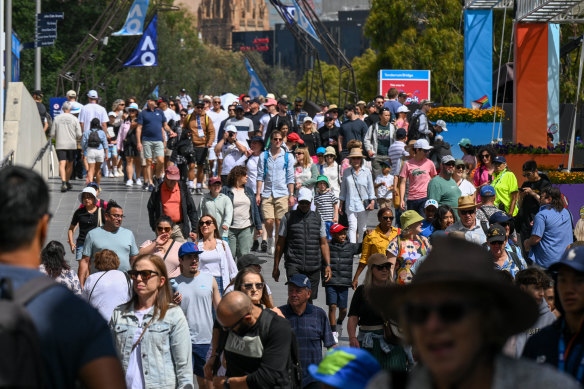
{"x":302,"y":236}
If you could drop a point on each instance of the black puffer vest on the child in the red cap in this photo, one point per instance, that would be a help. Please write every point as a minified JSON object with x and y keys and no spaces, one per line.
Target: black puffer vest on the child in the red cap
{"x":342,"y":263}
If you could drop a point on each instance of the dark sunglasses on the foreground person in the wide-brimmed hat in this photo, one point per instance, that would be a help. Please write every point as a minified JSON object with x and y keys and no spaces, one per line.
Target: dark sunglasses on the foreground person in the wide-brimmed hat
{"x":448,"y":312}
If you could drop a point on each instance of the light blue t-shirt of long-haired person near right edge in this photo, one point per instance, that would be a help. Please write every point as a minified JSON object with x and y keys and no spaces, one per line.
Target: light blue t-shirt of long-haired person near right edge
{"x":555,"y":230}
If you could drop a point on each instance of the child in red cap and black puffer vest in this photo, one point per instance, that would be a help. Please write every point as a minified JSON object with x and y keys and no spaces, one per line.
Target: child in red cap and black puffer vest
{"x":337,"y":287}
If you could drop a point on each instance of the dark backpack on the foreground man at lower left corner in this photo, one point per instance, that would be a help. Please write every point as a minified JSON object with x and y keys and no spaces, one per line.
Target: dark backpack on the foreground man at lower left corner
{"x":21,"y":362}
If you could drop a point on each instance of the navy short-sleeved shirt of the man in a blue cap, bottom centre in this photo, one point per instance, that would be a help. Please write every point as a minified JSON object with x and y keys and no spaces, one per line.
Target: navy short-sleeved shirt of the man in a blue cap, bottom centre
{"x":312,"y":330}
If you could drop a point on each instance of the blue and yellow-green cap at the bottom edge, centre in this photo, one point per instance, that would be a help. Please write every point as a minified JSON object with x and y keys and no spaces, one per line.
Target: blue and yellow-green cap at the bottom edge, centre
{"x":345,"y":368}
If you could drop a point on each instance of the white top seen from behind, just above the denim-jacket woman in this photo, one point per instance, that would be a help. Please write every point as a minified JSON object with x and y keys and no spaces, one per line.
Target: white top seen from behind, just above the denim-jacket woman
{"x":110,"y":289}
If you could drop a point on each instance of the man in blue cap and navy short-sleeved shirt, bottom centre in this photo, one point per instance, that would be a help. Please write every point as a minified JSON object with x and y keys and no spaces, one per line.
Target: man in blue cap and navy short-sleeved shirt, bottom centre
{"x":310,"y":325}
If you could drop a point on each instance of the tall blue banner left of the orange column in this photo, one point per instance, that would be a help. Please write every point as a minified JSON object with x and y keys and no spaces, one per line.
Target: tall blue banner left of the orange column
{"x":478,"y":58}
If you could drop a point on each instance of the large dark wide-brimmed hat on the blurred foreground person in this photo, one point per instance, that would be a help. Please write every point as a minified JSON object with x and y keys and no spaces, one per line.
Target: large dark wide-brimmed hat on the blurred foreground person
{"x":466,"y":267}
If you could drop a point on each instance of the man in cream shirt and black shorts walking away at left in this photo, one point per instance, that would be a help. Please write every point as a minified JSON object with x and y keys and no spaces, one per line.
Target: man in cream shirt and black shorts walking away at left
{"x":67,"y":132}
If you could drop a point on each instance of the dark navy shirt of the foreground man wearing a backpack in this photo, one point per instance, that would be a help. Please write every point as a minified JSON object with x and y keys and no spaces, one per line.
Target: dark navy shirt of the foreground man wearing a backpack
{"x":71,"y":332}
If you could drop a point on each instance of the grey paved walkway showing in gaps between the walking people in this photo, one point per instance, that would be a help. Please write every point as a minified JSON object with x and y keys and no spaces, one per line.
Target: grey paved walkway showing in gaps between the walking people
{"x":133,"y":200}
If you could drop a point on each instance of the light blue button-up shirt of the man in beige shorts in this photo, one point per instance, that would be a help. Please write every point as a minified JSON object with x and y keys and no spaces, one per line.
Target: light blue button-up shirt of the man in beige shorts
{"x":277,"y":178}
